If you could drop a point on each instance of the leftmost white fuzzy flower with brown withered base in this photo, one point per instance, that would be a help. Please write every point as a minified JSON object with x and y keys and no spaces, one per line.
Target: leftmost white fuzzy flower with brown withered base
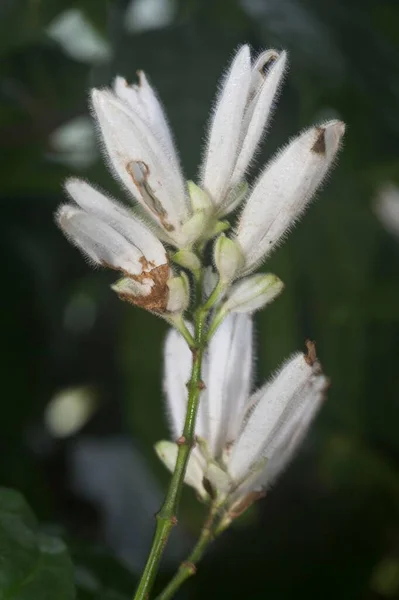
{"x":110,"y":236}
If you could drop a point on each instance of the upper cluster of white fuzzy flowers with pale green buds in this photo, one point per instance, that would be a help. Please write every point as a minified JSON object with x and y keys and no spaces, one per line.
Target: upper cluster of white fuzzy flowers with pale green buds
{"x":183,"y":215}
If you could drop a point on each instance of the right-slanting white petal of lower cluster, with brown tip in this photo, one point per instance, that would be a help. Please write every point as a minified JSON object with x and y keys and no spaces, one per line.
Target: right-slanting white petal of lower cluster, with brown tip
{"x":274,"y":413}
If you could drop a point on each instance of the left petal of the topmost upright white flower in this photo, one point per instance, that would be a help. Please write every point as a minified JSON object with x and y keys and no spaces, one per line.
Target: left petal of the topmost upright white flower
{"x":225,"y":130}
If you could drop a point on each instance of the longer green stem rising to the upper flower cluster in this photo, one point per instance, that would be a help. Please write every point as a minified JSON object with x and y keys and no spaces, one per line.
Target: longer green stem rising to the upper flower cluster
{"x":166,"y":518}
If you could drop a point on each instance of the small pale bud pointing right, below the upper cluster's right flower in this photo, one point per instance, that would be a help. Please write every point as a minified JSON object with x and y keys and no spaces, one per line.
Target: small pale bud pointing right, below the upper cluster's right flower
{"x":253,"y":293}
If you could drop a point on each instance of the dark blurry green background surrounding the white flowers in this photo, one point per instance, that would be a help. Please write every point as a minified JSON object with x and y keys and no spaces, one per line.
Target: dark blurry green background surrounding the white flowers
{"x":330,"y":527}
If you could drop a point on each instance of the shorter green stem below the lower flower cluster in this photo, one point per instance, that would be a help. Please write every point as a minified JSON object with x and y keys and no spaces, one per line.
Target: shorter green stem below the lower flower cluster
{"x":188,"y":568}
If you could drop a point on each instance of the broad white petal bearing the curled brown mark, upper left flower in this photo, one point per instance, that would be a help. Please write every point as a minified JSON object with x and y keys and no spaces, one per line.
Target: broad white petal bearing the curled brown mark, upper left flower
{"x":141,"y":162}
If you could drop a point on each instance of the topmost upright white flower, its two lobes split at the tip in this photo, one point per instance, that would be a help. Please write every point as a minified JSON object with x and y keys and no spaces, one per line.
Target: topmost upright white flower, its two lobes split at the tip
{"x":241,"y":114}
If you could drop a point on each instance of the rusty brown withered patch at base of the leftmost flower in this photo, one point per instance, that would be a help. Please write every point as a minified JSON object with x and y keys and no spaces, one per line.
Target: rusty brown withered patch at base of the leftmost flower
{"x":157,"y":300}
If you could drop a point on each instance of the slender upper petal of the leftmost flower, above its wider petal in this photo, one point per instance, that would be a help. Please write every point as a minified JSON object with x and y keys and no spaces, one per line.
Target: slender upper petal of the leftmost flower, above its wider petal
{"x":115,"y":215}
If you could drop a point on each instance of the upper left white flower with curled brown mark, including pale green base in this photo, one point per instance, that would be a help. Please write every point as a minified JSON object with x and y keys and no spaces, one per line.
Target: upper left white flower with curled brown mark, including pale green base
{"x":142,"y":155}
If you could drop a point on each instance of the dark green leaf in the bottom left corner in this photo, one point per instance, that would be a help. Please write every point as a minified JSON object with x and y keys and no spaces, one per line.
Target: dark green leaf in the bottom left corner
{"x":33,"y":565}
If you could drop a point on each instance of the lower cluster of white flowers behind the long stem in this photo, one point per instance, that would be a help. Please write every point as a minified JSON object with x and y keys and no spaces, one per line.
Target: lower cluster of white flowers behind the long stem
{"x":244,"y":441}
